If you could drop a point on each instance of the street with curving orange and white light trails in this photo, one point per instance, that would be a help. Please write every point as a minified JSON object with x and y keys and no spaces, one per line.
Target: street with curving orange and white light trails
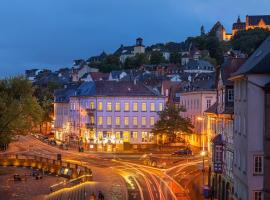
{"x":132,"y":180}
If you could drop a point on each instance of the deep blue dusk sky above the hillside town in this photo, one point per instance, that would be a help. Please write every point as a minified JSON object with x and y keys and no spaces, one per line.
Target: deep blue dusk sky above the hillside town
{"x":52,"y":33}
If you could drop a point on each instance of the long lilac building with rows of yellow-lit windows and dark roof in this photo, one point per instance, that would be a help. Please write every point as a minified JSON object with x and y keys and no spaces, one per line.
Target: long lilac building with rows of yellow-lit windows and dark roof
{"x":108,"y":115}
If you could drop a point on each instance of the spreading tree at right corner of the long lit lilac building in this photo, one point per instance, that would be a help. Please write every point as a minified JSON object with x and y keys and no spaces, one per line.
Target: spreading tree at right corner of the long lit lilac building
{"x":171,"y":122}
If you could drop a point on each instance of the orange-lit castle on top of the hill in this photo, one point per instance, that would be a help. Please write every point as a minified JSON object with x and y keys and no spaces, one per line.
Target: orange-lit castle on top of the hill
{"x":252,"y":22}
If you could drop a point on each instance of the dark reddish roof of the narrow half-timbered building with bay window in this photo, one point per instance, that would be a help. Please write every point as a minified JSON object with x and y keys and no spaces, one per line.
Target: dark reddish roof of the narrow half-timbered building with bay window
{"x":230,"y":66}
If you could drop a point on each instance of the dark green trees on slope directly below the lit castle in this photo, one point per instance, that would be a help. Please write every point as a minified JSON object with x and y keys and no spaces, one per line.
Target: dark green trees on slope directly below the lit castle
{"x":248,"y":41}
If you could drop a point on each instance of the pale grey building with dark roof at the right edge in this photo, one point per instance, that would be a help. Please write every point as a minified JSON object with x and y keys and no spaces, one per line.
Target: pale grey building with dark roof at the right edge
{"x":250,"y":138}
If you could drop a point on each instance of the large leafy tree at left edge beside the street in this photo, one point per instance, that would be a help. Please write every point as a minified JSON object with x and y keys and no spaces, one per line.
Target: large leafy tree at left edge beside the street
{"x":19,"y":109}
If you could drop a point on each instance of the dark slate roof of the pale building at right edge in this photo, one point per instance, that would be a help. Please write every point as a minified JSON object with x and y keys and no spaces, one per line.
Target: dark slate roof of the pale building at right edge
{"x":258,"y":62}
